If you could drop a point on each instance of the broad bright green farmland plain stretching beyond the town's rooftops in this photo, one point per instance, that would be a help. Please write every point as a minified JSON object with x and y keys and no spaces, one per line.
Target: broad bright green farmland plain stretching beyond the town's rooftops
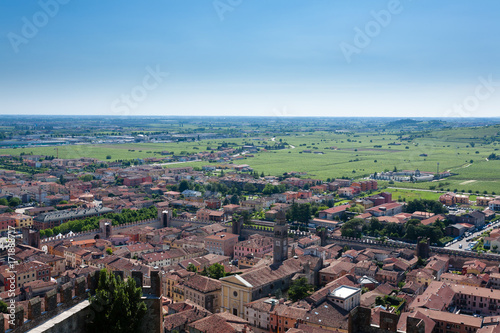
{"x":353,"y":155}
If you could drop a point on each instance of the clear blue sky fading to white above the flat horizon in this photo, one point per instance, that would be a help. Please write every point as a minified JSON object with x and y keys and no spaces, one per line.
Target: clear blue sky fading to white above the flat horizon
{"x":250,"y":57}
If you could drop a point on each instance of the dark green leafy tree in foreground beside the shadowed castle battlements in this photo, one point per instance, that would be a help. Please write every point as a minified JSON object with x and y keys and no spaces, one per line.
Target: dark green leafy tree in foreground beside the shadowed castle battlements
{"x":117,"y":305}
